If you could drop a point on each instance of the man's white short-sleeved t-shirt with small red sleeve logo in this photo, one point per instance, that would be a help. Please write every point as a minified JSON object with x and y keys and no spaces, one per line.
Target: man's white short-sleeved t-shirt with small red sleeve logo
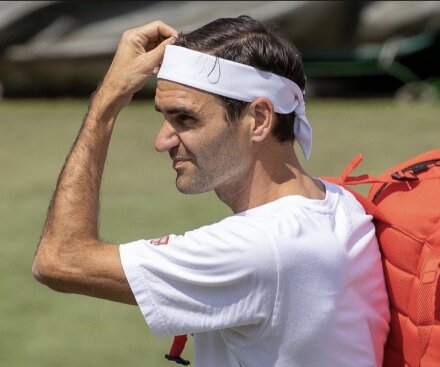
{"x":295,"y":282}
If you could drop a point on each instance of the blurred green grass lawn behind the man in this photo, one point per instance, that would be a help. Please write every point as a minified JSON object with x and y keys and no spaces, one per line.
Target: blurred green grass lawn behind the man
{"x":39,"y":327}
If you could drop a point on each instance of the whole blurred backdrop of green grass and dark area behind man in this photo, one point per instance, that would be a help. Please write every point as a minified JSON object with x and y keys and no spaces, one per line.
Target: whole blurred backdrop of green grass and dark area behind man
{"x":373,"y":87}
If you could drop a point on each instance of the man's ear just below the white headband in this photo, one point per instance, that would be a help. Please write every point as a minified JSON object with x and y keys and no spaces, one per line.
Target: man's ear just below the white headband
{"x":263,"y":114}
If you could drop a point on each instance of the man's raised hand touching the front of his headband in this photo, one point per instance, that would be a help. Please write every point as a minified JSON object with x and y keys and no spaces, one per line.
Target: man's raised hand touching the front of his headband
{"x":139,"y":54}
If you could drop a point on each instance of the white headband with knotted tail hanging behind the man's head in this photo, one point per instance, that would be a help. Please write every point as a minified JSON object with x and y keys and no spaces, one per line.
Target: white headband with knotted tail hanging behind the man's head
{"x":238,"y":81}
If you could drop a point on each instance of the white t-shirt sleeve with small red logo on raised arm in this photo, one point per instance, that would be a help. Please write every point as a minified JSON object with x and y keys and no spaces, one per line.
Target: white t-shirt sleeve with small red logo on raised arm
{"x":219,"y":276}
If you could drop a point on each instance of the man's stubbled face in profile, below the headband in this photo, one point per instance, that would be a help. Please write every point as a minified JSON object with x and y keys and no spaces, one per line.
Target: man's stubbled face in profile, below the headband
{"x":207,"y":151}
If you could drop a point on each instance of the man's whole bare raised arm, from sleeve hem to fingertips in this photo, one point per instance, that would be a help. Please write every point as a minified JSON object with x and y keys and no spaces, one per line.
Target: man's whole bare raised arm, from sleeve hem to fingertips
{"x":70,"y":257}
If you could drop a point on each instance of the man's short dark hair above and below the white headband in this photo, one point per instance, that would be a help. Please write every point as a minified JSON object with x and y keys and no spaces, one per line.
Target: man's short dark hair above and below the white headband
{"x":247,"y":41}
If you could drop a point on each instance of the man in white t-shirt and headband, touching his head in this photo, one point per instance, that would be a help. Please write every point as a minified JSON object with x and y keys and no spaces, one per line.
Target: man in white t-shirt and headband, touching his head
{"x":294,"y":277}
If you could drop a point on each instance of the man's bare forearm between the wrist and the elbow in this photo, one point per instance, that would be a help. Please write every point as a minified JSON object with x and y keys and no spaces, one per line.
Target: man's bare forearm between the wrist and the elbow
{"x":73,"y":212}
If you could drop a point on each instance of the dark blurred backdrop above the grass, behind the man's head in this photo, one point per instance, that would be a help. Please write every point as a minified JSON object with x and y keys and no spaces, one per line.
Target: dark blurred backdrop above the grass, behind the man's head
{"x":55,"y":48}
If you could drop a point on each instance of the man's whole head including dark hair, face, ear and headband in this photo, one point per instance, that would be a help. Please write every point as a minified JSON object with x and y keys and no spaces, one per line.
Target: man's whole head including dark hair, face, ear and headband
{"x":213,"y":139}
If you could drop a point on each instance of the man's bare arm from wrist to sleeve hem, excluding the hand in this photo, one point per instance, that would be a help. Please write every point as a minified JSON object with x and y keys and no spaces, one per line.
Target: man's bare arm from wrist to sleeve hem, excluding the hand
{"x":70,"y":251}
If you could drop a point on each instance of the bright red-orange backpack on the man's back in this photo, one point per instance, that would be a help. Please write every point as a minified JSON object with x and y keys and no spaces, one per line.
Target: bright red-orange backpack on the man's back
{"x":405,"y":204}
